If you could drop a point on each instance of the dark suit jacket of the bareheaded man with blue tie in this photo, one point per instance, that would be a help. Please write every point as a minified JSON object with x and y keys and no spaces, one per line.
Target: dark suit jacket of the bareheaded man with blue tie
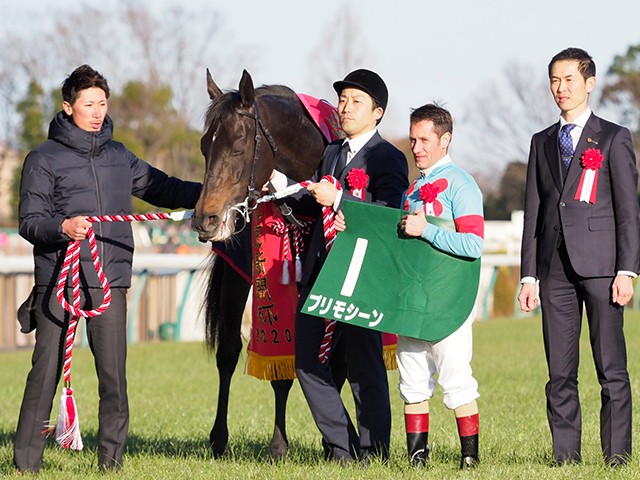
{"x":601,"y":238}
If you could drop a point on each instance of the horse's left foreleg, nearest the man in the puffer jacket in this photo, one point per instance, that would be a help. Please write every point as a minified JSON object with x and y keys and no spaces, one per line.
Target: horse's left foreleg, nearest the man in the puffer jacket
{"x":233,"y":296}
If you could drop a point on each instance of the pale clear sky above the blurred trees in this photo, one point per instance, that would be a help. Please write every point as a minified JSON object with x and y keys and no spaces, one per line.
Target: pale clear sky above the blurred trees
{"x":424,"y":50}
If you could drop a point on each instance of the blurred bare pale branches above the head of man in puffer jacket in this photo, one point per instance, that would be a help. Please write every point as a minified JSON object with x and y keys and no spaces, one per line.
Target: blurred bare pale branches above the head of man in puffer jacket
{"x":132,"y":42}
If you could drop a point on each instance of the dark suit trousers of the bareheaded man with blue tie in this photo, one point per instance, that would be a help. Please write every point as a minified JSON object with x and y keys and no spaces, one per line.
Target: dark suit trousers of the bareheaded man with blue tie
{"x":562,"y":297}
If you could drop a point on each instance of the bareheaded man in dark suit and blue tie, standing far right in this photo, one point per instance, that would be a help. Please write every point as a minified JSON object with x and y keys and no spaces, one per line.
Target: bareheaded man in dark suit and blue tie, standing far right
{"x":581,"y":240}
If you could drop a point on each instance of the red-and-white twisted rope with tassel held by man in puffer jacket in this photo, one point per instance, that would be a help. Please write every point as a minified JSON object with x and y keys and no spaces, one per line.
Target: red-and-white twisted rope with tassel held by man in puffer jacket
{"x":67,"y":428}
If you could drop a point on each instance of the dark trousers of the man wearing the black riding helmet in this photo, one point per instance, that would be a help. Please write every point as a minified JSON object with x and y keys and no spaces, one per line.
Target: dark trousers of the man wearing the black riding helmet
{"x":368,"y":379}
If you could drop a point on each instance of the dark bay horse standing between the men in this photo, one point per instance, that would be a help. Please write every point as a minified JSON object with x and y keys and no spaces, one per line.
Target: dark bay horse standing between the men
{"x":247,"y":134}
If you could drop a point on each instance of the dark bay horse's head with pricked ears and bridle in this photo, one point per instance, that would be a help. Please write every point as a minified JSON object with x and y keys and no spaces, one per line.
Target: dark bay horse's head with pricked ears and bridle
{"x":229,"y":145}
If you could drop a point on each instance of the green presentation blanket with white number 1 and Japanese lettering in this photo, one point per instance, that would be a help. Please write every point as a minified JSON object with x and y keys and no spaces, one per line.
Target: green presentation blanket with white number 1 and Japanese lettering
{"x":377,"y":277}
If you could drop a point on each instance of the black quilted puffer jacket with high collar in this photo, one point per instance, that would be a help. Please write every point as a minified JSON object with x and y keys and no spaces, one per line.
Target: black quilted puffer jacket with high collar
{"x":77,"y":172}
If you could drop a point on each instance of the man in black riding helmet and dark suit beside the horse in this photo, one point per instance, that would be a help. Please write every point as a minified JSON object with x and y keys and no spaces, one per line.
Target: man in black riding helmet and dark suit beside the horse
{"x":362,"y":100}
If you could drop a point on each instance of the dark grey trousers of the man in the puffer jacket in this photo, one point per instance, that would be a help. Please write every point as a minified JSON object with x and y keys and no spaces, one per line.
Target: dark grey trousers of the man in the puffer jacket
{"x":108,"y":342}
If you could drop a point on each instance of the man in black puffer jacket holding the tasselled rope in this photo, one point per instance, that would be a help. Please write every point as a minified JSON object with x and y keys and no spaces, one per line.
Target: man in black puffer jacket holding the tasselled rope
{"x":81,"y":171}
